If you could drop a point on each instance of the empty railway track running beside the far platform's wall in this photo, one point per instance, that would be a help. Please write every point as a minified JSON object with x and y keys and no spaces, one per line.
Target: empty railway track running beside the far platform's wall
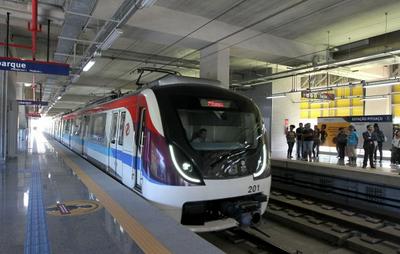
{"x":354,"y":230}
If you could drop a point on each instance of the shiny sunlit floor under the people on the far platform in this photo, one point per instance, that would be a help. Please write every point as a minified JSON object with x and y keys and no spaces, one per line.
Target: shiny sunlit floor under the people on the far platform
{"x":331,"y":158}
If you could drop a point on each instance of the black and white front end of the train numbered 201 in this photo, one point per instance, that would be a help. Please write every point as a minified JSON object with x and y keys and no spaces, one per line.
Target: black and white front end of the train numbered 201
{"x":217,"y":148}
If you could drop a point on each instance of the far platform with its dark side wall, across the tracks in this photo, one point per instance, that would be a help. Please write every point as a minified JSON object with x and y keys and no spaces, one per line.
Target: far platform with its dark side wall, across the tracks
{"x":370,"y":189}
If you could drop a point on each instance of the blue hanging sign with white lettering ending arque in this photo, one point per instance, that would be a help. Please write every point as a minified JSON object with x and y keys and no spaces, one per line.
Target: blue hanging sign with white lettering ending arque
{"x":14,"y":64}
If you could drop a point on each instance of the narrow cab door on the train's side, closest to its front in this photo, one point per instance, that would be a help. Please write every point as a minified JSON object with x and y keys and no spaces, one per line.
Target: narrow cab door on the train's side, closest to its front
{"x":140,"y":138}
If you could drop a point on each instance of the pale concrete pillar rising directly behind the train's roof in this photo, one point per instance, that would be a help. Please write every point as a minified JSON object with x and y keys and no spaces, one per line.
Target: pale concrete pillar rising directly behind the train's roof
{"x":214,"y":64}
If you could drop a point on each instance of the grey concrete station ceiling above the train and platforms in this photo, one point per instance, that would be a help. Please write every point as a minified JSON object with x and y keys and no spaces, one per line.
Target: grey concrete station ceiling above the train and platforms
{"x":264,"y":37}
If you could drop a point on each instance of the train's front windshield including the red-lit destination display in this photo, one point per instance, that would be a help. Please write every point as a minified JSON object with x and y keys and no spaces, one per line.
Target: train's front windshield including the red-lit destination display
{"x":218,"y":125}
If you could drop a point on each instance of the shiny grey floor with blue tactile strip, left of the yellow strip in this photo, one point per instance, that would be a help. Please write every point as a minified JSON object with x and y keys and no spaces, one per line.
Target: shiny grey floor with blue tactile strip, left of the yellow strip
{"x":36,"y":212}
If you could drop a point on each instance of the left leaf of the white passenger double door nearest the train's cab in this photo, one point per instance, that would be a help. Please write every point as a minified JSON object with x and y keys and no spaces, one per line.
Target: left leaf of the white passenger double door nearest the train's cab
{"x":113,"y":143}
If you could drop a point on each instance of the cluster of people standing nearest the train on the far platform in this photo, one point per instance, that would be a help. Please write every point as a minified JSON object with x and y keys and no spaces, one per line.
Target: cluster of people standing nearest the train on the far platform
{"x":307,"y":141}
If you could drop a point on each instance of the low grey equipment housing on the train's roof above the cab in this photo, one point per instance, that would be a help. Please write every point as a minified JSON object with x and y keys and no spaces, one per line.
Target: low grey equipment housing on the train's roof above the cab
{"x":174,"y":80}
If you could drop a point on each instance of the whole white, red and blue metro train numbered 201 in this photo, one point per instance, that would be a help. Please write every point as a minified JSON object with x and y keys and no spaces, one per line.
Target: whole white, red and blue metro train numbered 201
{"x":197,"y":151}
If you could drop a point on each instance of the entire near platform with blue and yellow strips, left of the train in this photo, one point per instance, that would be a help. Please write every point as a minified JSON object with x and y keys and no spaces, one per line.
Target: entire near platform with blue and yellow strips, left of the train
{"x":53,"y":201}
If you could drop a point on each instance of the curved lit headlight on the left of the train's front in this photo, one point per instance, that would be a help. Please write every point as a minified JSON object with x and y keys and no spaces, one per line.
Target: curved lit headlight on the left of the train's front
{"x":183,"y":166}
